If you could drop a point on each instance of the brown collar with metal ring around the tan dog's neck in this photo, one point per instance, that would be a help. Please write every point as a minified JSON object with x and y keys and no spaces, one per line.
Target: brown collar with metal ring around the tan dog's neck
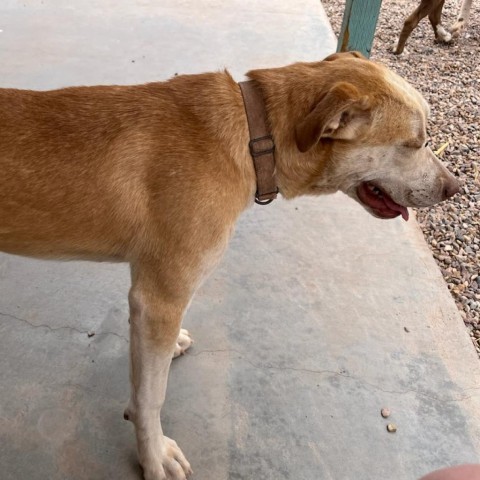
{"x":261,"y":145}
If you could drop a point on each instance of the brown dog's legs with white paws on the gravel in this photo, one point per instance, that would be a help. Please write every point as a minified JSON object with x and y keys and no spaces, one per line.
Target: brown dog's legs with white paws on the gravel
{"x":433,"y":8}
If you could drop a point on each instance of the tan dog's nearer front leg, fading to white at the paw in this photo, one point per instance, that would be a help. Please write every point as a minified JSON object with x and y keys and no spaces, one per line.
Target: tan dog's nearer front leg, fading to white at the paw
{"x":155,"y":320}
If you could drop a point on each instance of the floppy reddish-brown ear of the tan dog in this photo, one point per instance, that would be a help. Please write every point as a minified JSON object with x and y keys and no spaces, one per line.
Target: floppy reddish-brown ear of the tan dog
{"x":338,"y":115}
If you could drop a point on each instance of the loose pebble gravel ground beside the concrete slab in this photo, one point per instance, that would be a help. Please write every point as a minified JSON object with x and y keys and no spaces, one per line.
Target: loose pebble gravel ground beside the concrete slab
{"x":449,"y":78}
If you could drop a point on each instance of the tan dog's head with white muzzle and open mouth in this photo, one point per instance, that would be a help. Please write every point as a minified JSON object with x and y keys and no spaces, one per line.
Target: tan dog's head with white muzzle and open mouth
{"x":367,"y":132}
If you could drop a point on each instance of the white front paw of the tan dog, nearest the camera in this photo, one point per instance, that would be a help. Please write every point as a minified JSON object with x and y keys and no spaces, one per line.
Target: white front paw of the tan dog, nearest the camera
{"x":171,"y":464}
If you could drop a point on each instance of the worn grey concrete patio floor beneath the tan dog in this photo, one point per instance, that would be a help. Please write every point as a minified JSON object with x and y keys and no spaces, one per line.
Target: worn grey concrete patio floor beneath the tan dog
{"x":289,"y":372}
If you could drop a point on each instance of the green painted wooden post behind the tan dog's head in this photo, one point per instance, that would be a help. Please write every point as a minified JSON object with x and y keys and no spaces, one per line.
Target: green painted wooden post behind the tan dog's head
{"x":358,"y":26}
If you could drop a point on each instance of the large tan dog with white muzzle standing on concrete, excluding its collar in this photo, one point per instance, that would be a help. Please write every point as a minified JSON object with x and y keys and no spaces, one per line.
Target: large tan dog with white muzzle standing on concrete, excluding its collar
{"x":157,"y":175}
